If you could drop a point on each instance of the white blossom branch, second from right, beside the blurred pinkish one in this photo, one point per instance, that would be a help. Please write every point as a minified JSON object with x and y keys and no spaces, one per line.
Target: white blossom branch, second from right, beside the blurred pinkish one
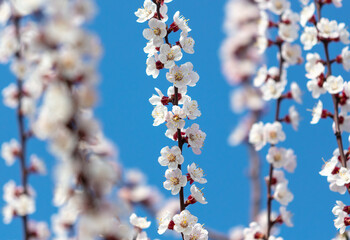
{"x":272,"y":83}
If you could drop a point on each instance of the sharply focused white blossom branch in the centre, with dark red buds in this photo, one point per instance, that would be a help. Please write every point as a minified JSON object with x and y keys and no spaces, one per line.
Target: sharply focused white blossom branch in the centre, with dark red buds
{"x":164,"y":55}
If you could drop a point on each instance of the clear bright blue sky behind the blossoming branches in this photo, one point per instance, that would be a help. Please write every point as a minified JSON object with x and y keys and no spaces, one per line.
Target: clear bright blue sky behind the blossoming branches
{"x":125,"y":113}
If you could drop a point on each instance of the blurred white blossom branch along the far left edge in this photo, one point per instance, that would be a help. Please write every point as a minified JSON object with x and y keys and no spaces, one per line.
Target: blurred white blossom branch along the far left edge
{"x":16,"y":35}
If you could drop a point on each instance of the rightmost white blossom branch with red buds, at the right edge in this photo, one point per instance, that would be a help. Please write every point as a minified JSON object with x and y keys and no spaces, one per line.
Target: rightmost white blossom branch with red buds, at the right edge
{"x":322,"y":80}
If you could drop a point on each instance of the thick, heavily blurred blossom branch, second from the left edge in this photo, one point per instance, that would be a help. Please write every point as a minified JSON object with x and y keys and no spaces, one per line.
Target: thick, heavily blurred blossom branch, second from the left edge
{"x":87,"y":172}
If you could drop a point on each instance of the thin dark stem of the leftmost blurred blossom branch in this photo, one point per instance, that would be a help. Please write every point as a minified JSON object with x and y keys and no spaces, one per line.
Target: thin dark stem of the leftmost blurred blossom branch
{"x":21,"y":130}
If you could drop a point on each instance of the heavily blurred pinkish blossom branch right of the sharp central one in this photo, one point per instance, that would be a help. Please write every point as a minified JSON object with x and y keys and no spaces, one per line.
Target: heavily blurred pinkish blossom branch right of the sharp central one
{"x":240,"y":58}
